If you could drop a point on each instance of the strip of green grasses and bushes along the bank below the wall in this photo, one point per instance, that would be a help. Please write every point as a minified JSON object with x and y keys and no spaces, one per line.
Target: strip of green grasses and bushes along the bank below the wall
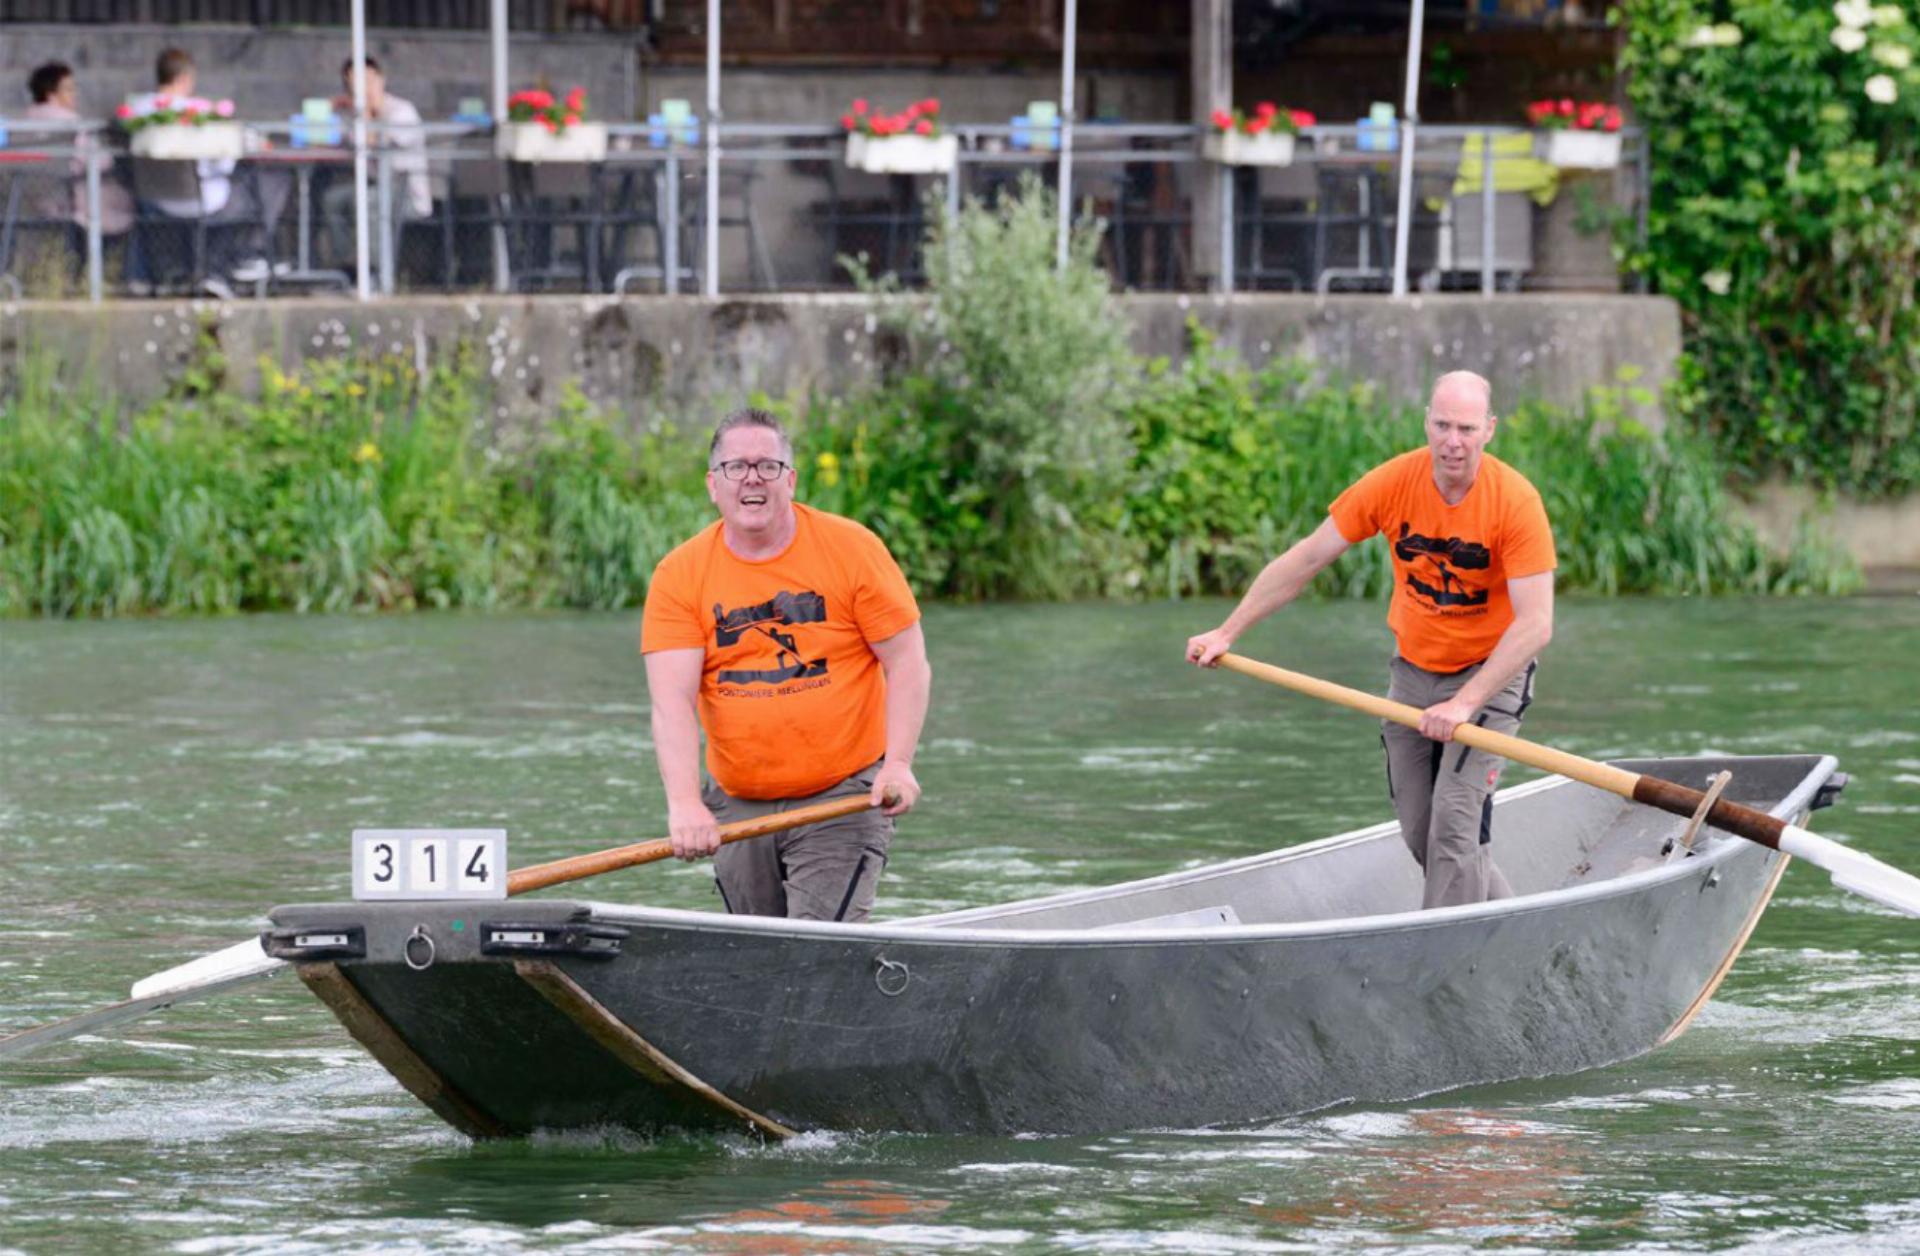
{"x":1024,"y":452}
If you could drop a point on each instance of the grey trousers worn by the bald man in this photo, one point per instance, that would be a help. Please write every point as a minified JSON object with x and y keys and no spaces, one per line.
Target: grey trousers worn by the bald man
{"x":1445,"y":792}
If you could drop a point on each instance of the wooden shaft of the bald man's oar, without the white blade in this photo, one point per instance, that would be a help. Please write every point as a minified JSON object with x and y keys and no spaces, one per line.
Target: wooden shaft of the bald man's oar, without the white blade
{"x":1648,"y":790}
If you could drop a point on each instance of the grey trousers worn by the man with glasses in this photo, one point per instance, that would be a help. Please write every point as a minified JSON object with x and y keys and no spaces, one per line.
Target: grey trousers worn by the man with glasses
{"x":815,"y":873}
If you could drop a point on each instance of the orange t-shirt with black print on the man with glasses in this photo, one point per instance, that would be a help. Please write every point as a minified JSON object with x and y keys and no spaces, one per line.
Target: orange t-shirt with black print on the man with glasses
{"x":792,"y":694}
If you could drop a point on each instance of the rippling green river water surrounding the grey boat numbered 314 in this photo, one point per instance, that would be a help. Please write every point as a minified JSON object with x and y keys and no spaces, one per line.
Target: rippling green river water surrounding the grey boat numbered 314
{"x":164,"y":783}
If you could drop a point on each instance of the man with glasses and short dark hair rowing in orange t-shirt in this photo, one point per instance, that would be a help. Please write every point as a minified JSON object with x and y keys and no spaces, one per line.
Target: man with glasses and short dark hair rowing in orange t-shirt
{"x":790,"y":637}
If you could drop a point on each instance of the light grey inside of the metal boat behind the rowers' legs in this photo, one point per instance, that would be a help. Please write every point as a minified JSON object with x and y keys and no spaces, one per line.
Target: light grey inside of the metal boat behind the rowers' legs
{"x":1548,"y":836}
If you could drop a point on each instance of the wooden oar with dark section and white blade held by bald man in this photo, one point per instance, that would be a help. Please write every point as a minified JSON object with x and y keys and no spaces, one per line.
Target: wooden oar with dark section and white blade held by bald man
{"x":1852,"y":871}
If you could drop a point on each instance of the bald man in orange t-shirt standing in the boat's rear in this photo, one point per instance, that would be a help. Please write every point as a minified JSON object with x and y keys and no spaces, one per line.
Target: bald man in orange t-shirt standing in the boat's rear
{"x":1472,"y":612}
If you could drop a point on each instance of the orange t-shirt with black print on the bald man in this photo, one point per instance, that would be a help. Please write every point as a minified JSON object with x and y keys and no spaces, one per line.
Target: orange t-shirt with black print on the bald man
{"x":1451,"y":562}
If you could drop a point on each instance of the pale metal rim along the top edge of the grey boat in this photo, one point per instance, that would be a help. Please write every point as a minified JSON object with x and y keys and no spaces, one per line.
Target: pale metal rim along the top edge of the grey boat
{"x":1115,"y":936}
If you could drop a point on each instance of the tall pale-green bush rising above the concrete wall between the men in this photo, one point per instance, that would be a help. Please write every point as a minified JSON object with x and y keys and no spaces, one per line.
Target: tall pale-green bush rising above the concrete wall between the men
{"x":1022,"y":381}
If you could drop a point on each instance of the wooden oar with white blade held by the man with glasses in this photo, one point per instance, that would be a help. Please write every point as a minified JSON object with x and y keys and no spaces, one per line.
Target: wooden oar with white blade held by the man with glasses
{"x":245,"y":963}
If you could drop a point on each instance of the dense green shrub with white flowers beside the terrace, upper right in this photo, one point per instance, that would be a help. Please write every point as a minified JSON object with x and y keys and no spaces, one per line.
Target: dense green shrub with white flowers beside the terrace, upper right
{"x":1787,"y":222}
